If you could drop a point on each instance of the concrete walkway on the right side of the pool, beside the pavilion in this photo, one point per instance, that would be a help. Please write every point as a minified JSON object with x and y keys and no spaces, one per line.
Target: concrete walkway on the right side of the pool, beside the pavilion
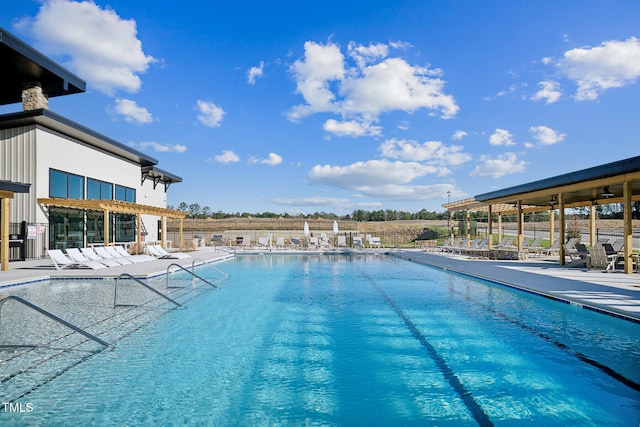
{"x":615,"y":292}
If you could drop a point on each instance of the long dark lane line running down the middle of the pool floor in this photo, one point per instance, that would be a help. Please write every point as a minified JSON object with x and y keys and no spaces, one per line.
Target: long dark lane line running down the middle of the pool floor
{"x":474,"y":407}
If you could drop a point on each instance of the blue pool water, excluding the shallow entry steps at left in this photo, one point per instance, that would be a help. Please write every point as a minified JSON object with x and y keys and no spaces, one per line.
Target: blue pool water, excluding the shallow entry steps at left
{"x":352,"y":340}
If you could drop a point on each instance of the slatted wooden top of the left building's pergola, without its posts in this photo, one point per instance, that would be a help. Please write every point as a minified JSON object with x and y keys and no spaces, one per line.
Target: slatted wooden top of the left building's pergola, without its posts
{"x":116,"y":206}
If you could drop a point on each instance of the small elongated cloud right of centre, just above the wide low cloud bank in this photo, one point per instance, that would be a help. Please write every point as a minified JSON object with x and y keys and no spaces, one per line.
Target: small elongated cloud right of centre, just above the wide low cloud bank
{"x":429,"y":151}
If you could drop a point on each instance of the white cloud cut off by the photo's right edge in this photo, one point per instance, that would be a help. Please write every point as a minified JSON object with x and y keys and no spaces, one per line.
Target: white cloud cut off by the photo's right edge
{"x":613,"y":64}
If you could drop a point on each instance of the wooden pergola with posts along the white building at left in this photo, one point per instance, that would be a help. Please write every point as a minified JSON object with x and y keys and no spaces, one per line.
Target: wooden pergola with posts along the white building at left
{"x":117,"y":206}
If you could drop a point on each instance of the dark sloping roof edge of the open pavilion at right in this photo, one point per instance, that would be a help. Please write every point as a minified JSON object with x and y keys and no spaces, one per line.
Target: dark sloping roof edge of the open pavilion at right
{"x":610,"y":169}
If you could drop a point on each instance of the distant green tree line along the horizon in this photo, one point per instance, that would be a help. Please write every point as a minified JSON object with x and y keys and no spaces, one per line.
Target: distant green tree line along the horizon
{"x":610,"y":211}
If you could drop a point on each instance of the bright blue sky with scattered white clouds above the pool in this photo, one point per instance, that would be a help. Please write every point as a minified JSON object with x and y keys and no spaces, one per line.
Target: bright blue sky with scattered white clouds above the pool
{"x":334,"y":106}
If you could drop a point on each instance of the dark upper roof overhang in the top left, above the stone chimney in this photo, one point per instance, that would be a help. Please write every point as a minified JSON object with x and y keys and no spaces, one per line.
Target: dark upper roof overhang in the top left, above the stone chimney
{"x":22,"y":64}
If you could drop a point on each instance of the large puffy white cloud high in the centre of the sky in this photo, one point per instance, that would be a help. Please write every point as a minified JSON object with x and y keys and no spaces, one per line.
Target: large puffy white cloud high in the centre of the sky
{"x":366,"y":88}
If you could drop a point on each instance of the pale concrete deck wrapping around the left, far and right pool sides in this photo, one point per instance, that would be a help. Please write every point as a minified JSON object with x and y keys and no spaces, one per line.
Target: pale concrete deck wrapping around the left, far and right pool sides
{"x":615,"y":292}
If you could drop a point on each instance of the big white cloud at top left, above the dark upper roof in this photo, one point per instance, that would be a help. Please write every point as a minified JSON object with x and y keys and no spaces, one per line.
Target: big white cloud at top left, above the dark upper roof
{"x":101,"y":47}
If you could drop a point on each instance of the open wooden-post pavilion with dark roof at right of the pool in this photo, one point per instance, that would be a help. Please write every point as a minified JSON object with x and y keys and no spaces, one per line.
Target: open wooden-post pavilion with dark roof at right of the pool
{"x":617,"y":182}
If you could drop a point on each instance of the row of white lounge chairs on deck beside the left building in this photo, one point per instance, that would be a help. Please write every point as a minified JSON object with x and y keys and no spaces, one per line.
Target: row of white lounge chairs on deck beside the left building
{"x":106,"y":256}
